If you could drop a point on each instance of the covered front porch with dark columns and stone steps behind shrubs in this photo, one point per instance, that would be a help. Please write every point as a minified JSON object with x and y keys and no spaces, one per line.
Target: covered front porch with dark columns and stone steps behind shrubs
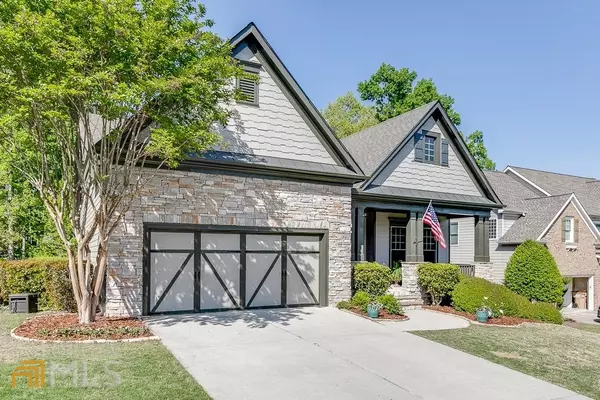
{"x":393,"y":233}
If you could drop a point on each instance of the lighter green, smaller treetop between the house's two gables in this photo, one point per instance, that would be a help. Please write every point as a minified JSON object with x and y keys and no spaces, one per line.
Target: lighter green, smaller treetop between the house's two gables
{"x":347,"y":115}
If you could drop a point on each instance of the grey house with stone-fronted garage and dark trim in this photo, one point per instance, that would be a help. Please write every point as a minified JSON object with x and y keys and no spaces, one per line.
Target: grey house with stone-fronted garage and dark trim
{"x":277,"y":214}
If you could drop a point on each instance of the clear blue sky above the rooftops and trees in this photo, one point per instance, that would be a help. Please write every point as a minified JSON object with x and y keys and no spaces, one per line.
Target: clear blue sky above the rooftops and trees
{"x":526,"y":73}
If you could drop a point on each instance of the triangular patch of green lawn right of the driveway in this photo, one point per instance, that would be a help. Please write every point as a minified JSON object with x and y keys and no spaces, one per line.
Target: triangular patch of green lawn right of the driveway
{"x":561,"y":355}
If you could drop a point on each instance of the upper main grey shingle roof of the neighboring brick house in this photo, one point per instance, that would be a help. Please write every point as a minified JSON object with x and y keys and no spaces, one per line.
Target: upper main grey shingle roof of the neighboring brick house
{"x":586,"y":189}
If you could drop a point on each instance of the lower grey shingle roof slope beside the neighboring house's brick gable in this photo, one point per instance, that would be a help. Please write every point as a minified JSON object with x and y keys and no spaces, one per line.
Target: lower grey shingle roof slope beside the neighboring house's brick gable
{"x":538,"y":212}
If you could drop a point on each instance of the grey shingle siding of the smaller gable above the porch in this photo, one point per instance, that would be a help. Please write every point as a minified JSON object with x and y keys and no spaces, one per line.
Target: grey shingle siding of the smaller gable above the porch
{"x":403,"y":171}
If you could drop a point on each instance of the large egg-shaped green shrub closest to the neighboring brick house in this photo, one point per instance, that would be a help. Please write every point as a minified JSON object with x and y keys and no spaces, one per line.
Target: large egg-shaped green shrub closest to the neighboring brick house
{"x":533,"y":273}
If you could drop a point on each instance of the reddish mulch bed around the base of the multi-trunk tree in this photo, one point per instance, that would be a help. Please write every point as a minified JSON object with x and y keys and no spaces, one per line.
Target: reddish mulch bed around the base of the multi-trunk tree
{"x":66,"y":327}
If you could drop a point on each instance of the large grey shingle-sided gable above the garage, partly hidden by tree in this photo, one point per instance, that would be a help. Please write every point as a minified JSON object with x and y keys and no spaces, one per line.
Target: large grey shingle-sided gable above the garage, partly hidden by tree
{"x":250,"y":45}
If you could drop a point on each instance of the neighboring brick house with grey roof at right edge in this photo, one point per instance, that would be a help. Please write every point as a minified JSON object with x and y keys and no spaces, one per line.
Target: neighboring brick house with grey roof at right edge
{"x":560,"y":221}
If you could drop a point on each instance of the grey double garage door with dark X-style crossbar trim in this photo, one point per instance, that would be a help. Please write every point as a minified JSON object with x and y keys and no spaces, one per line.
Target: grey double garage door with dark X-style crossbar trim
{"x":210,"y":269}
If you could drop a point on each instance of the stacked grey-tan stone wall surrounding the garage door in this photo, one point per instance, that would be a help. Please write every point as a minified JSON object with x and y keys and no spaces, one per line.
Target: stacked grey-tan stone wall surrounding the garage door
{"x":242,"y":200}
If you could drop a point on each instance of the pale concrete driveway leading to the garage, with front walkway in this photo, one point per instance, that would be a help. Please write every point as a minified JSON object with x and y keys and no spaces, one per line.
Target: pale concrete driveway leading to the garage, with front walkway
{"x":324,"y":353}
